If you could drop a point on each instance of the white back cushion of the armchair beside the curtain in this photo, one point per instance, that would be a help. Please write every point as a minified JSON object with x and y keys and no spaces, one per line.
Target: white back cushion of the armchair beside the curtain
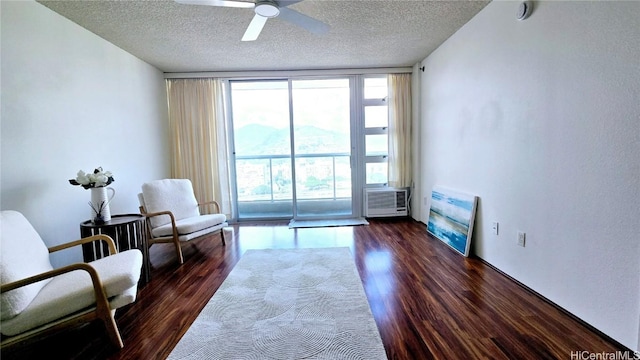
{"x":175,"y":195}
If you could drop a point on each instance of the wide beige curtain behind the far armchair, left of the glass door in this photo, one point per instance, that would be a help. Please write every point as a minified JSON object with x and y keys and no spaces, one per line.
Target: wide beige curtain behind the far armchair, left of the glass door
{"x":199,"y":140}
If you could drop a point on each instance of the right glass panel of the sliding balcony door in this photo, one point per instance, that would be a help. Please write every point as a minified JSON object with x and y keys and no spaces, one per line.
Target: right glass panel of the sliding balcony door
{"x":322,"y":147}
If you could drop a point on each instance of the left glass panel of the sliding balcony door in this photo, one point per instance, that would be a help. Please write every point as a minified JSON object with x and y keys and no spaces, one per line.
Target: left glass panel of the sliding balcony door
{"x":262,"y":149}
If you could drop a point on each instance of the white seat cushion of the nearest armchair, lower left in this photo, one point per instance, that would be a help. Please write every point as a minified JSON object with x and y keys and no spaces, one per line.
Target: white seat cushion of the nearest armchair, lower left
{"x":73,"y":291}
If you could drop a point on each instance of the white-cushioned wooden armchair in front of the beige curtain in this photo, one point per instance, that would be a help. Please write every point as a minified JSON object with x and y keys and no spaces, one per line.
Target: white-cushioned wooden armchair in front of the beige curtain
{"x":174,"y":216}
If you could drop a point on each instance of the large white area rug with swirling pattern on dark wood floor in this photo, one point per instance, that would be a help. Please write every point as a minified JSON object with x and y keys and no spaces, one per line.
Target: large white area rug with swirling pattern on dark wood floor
{"x":286,"y":304}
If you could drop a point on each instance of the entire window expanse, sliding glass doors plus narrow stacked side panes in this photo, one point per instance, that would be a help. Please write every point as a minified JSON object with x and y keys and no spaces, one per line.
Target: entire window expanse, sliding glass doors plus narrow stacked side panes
{"x":304,"y":147}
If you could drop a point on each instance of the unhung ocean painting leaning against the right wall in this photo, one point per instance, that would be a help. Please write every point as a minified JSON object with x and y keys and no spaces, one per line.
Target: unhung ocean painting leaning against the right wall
{"x":451,"y":216}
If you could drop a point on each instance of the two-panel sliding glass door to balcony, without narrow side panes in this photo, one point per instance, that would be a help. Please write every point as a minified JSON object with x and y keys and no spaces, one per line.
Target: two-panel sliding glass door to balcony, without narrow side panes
{"x":292,"y":141}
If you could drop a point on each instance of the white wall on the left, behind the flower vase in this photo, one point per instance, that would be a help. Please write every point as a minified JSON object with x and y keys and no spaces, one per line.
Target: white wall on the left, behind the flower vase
{"x":70,"y":101}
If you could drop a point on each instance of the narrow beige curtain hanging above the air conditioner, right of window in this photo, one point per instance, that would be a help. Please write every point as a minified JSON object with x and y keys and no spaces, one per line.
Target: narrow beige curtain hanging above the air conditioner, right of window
{"x":399,"y":130}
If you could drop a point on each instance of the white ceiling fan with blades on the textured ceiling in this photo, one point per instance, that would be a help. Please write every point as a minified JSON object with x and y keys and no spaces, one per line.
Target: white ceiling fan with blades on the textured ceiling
{"x":266,"y":9}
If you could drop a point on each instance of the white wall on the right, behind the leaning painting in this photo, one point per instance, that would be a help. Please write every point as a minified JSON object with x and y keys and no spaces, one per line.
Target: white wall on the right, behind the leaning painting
{"x":541,"y":119}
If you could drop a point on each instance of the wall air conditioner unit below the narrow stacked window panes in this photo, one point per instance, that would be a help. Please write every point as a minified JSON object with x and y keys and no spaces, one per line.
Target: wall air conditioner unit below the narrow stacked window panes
{"x":385,"y":202}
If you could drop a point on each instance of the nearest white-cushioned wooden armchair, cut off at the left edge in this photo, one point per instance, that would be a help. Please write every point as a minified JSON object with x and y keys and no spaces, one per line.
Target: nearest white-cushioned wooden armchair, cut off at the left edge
{"x":36,"y":299}
